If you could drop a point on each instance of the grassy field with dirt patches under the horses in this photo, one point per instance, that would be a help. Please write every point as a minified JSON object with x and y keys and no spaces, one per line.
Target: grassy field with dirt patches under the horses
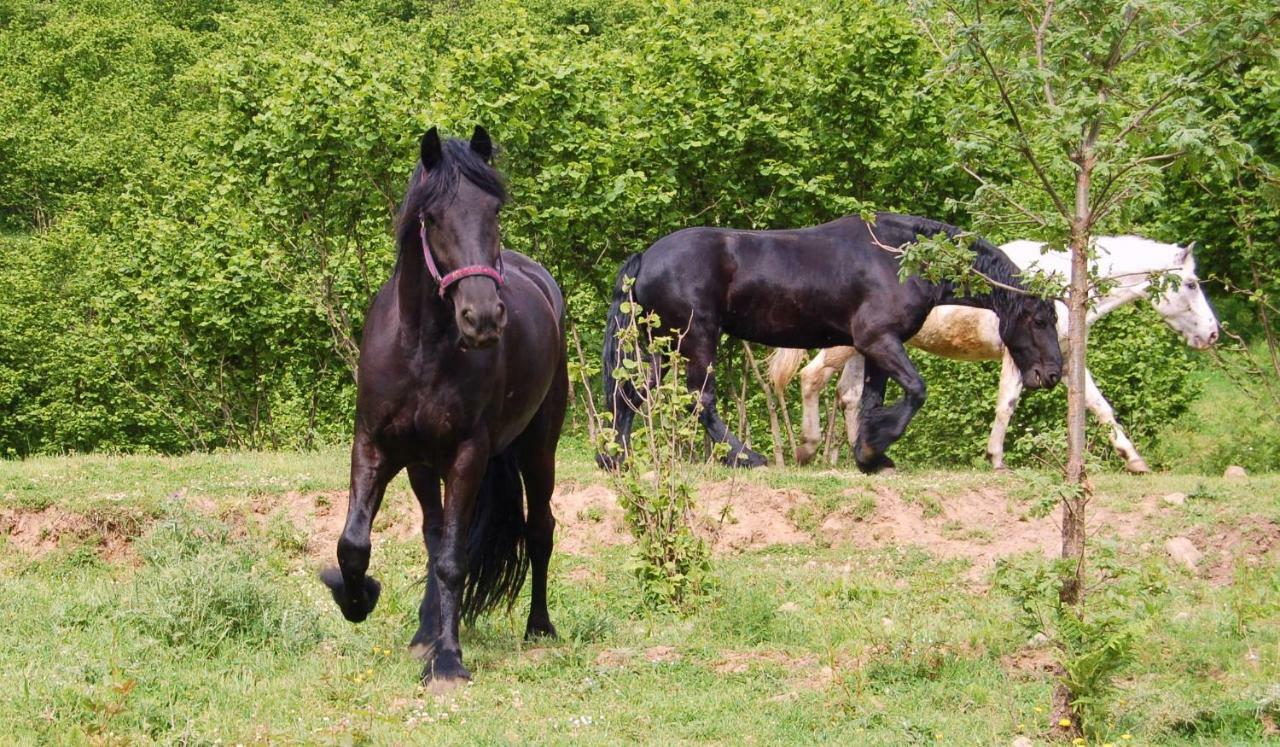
{"x":176,"y":601}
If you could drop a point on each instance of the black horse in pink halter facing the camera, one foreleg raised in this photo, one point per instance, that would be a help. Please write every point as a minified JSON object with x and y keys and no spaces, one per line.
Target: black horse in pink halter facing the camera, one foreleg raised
{"x":463,"y":378}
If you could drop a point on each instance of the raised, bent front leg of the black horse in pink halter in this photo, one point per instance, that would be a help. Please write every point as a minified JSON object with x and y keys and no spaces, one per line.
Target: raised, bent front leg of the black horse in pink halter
{"x":356,"y":593}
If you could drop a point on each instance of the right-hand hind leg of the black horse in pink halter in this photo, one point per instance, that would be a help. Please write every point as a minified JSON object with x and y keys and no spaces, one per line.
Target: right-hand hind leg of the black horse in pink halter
{"x":538,"y":469}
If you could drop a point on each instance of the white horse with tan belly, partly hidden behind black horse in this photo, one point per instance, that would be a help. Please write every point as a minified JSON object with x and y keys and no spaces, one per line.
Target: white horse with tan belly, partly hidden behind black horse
{"x":972,"y":334}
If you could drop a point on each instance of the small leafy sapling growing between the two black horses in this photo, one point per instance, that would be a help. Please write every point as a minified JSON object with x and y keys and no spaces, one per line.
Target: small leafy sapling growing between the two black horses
{"x":656,"y":482}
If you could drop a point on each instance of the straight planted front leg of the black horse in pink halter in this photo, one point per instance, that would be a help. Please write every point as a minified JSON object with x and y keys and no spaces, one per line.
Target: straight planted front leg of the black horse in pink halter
{"x":461,"y":485}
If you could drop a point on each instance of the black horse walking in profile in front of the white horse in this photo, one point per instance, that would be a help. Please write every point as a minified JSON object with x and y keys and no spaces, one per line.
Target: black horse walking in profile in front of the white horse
{"x":813,"y":288}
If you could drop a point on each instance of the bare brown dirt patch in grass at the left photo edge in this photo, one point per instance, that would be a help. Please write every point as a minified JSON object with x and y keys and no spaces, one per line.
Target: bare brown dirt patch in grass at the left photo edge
{"x":39,"y":533}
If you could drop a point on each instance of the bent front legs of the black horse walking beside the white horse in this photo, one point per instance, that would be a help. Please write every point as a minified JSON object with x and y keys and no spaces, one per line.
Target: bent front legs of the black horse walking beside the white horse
{"x":883,"y":425}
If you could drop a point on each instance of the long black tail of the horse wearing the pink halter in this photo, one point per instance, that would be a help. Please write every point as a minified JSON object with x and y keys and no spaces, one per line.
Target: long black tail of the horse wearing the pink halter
{"x":497,"y":561}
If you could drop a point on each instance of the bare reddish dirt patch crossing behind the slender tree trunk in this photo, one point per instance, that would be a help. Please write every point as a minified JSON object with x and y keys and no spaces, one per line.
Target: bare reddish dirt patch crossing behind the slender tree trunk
{"x":979,"y":525}
